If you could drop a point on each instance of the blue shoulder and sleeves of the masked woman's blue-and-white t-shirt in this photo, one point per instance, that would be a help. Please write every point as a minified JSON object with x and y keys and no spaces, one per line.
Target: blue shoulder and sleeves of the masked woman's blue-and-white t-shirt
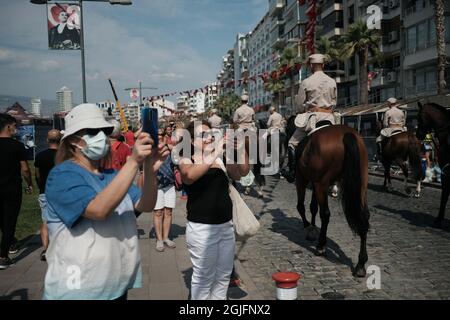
{"x":69,"y":194}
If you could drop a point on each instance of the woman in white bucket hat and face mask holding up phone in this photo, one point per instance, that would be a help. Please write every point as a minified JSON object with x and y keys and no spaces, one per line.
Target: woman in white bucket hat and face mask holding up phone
{"x":94,"y":252}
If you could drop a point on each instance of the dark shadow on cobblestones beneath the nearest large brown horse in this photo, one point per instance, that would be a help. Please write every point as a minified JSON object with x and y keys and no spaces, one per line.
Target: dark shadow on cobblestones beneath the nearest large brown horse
{"x":292,"y":228}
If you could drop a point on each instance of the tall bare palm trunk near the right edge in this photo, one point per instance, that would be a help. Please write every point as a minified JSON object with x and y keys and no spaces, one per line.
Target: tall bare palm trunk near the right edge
{"x":440,"y":44}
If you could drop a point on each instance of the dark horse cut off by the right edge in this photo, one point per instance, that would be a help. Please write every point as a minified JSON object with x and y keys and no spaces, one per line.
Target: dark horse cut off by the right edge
{"x":435,"y":118}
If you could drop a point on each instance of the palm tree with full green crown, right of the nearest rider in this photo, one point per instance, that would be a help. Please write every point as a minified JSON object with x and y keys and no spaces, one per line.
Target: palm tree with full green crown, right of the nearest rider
{"x":360,"y":40}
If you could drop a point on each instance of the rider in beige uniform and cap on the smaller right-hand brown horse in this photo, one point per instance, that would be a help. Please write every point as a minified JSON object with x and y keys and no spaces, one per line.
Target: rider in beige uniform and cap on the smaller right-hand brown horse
{"x":394,"y":120}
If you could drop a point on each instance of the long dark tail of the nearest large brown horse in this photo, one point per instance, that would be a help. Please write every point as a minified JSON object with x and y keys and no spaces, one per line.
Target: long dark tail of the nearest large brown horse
{"x":354,"y":186}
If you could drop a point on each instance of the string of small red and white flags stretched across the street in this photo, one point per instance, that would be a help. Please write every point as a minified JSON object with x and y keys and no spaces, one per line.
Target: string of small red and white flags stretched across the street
{"x":265,"y":77}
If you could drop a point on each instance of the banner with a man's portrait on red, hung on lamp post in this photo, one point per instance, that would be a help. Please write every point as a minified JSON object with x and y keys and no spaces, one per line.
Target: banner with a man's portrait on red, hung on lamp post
{"x":64,"y":26}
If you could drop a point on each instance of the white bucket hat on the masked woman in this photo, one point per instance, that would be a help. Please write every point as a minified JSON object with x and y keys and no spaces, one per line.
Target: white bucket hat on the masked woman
{"x":86,"y":116}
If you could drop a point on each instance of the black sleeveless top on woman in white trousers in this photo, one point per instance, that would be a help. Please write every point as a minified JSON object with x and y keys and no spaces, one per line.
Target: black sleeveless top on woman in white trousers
{"x":209,"y":200}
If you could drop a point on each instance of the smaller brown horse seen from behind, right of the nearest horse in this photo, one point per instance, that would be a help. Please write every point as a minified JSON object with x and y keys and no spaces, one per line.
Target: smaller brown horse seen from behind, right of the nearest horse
{"x":399,"y":149}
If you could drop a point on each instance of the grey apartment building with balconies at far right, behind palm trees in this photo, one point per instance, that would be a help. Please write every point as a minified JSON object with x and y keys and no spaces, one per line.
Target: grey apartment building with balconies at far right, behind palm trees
{"x":408,"y":45}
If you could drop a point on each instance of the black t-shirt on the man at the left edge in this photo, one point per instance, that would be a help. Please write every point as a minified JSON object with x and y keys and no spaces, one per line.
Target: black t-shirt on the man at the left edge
{"x":11,"y":153}
